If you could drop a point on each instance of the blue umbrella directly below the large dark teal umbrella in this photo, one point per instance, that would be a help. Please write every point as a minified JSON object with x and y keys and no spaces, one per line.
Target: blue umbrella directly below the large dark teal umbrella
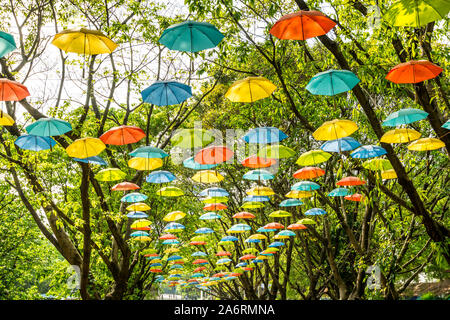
{"x":166,"y":93}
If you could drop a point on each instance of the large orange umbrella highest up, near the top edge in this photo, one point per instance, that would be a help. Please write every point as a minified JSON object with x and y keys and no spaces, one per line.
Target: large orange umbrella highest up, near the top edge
{"x":302,"y":25}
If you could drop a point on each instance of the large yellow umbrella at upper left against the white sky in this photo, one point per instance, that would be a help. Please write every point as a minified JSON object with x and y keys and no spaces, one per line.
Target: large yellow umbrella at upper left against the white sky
{"x":83,"y":41}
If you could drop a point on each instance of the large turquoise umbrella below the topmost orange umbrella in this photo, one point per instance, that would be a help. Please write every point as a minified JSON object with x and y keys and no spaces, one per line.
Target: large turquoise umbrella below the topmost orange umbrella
{"x":332,"y":82}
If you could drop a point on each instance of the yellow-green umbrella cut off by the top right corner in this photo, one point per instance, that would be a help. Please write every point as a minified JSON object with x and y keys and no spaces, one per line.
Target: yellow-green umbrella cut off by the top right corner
{"x":416,"y":13}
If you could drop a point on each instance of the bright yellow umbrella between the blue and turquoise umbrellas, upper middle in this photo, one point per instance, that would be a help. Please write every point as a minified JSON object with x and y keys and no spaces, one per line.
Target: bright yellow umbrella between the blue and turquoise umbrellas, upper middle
{"x":250,"y":89}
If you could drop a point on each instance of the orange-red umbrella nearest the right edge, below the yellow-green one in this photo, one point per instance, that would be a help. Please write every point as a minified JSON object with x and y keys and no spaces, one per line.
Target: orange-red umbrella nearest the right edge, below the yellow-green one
{"x":413,"y":72}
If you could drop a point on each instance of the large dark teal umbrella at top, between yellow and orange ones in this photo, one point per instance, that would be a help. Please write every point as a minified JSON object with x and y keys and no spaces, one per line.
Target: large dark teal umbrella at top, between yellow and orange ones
{"x":191,"y":36}
